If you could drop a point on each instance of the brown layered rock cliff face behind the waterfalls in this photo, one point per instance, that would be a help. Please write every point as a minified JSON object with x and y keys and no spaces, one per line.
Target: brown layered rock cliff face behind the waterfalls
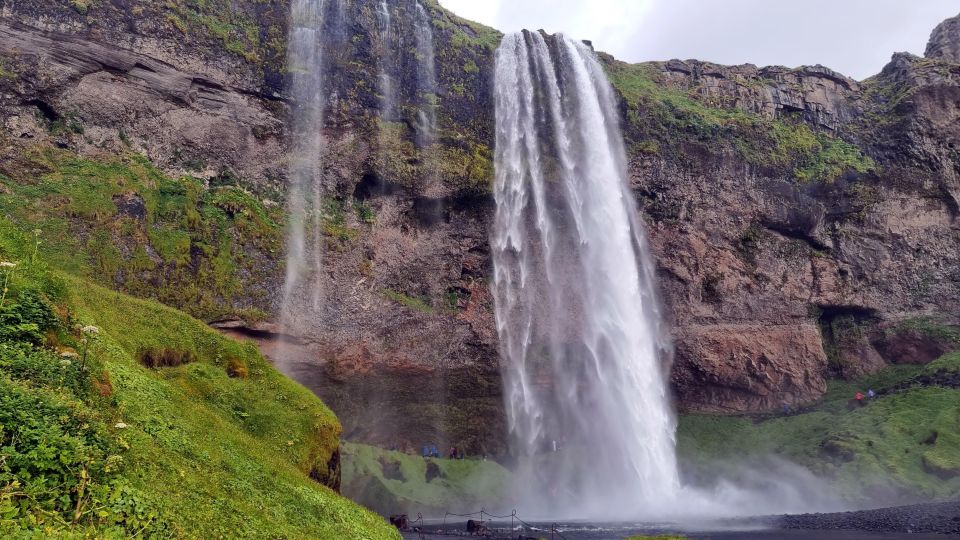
{"x":805,"y":224}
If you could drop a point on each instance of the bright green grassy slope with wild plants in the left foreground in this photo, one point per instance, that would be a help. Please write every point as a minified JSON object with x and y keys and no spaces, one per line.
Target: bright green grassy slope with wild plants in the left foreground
{"x":215,"y":444}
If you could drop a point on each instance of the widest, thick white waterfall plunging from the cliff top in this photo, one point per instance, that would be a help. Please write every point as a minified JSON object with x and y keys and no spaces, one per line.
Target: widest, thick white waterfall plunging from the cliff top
{"x":578,"y":319}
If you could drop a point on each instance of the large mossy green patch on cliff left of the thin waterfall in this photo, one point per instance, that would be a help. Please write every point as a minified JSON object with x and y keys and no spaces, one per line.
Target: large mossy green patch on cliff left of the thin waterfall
{"x":121,"y":221}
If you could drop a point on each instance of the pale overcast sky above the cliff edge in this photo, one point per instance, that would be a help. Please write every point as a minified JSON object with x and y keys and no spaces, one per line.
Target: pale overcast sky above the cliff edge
{"x":854,"y":37}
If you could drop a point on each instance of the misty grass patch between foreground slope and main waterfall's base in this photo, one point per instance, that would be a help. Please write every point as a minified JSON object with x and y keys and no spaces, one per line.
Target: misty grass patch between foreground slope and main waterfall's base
{"x":460,"y":485}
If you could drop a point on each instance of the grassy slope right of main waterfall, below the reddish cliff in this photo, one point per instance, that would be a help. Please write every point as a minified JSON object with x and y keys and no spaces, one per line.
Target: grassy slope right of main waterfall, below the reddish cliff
{"x":904,"y":444}
